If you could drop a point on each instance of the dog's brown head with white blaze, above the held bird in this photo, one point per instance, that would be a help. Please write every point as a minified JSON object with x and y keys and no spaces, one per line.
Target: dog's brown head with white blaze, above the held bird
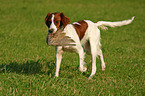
{"x":55,"y":21}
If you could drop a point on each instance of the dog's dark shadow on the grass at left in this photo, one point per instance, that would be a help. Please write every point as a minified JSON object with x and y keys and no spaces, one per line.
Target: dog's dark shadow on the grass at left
{"x":29,"y":67}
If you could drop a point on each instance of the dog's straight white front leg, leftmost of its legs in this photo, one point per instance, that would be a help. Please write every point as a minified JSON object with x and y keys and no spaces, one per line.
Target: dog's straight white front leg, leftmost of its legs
{"x":59,"y":53}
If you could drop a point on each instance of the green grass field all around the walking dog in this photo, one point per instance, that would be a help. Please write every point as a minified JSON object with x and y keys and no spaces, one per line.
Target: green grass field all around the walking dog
{"x":27,"y":64}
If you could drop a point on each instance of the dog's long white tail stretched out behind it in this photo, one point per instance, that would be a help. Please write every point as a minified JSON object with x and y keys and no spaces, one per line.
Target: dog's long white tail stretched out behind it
{"x":103,"y":24}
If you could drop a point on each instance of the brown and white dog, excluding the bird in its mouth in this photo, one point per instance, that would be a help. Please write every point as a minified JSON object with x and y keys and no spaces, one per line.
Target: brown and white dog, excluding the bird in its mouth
{"x":86,"y":35}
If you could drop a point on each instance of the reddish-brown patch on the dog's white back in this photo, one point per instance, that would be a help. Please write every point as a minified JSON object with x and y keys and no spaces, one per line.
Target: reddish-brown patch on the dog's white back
{"x":81,"y":28}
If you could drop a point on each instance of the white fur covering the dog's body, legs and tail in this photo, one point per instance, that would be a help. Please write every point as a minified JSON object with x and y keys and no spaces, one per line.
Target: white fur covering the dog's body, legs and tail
{"x":89,"y":44}
